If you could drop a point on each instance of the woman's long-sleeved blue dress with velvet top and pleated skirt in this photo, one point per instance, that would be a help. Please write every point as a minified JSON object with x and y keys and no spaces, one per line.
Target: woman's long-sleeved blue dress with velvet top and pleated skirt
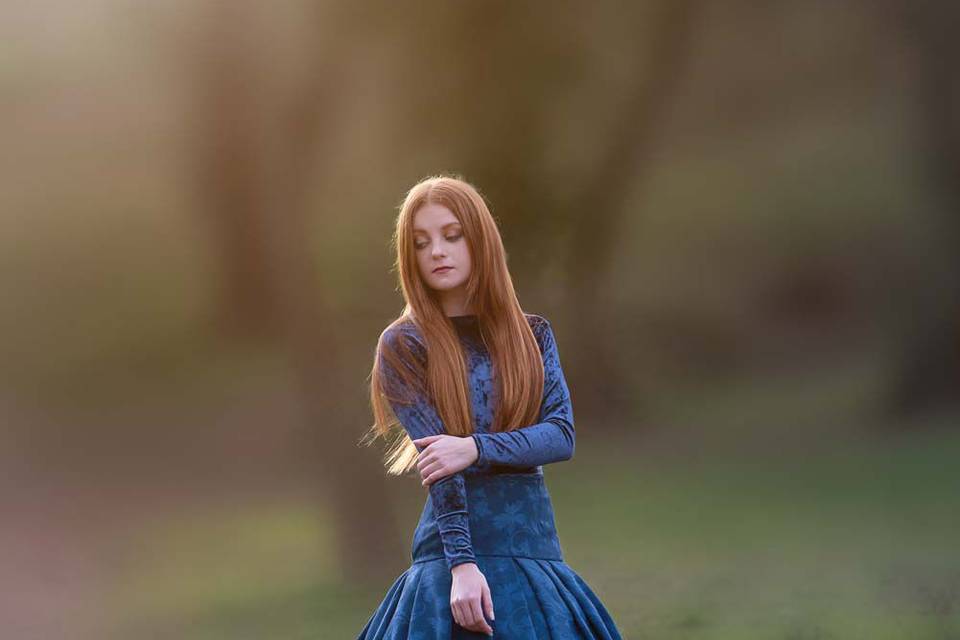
{"x":496,"y":513}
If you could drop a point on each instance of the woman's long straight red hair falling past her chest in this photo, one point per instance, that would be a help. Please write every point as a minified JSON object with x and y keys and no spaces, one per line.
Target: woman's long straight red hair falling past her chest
{"x":517,"y":362}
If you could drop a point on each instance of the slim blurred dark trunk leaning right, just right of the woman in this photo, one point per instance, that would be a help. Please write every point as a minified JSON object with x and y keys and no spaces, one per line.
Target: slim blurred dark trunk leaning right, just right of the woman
{"x":596,"y":211}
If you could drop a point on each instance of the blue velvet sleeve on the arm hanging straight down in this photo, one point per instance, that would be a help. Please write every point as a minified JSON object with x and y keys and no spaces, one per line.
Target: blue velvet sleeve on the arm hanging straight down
{"x":419,"y":419}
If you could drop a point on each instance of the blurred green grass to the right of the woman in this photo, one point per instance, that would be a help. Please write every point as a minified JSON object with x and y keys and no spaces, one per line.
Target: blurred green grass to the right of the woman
{"x":855,"y":543}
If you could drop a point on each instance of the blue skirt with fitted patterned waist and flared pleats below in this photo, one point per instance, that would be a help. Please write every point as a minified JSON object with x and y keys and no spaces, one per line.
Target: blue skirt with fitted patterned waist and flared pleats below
{"x":536,"y":595}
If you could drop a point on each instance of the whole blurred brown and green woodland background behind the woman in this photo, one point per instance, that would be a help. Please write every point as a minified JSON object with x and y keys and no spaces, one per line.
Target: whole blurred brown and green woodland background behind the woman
{"x":741,"y":219}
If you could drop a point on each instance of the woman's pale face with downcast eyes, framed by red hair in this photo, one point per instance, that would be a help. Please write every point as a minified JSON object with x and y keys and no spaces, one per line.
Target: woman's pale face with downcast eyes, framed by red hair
{"x":439,"y":244}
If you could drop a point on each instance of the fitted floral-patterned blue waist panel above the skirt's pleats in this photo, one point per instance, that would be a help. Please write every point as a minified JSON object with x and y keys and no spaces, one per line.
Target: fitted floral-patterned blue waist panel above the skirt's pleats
{"x":510,"y":515}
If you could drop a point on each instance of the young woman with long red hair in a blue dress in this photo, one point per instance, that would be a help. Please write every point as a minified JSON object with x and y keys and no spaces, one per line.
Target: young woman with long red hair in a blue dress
{"x":476,"y":385}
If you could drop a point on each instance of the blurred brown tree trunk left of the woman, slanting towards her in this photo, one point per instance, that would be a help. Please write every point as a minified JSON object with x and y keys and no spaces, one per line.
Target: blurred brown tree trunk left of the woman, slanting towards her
{"x":263,"y":112}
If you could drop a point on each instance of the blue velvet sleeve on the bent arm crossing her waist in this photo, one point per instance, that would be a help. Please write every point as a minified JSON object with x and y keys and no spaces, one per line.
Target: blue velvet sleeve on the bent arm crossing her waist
{"x":550,"y":440}
